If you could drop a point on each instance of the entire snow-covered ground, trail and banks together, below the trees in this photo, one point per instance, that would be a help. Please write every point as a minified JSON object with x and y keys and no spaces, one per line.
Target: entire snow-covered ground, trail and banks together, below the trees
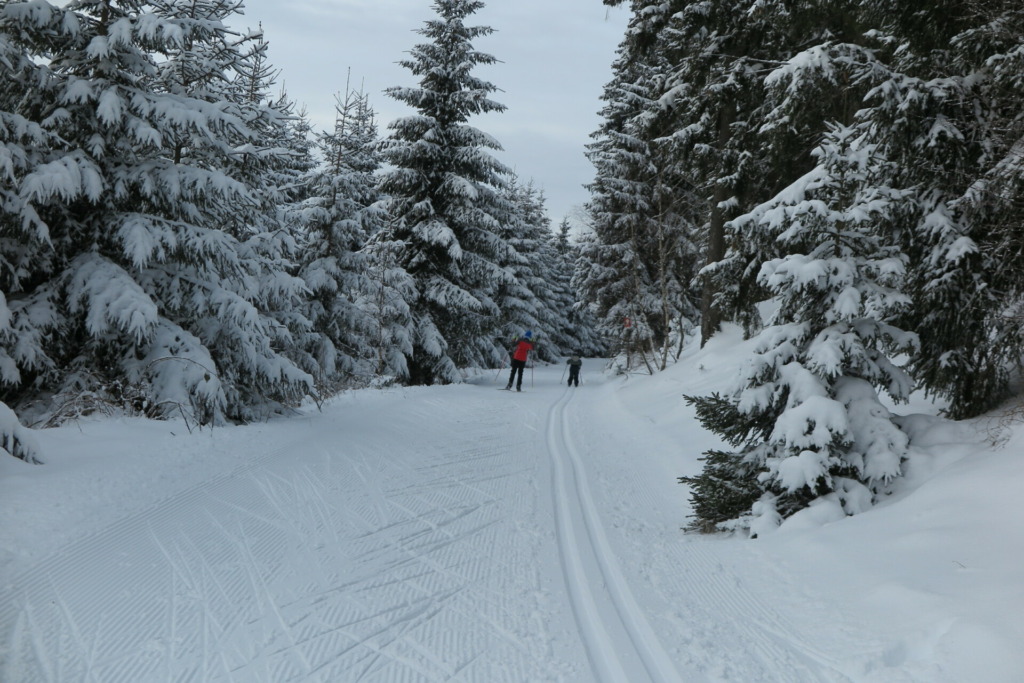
{"x":465,"y":534}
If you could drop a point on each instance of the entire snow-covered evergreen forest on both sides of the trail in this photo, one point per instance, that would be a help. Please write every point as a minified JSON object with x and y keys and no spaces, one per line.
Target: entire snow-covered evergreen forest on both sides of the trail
{"x":844,"y":182}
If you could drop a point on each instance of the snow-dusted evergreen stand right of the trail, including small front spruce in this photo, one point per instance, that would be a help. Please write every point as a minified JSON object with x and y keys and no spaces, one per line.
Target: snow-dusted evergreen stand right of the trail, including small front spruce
{"x":877,"y":142}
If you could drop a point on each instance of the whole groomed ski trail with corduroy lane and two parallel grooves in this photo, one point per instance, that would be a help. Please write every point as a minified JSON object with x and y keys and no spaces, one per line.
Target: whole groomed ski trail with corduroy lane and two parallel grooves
{"x":481,"y":547}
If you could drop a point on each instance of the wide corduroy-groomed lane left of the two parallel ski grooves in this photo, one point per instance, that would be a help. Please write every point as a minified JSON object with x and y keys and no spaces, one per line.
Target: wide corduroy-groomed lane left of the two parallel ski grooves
{"x":308,"y":566}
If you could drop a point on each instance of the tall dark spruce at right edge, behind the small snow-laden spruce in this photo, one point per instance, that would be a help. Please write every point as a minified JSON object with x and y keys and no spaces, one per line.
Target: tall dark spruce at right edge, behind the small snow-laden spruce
{"x":949,"y":117}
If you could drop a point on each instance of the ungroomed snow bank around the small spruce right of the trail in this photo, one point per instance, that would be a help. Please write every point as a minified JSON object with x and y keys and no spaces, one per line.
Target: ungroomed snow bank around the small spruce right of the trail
{"x":925,"y":587}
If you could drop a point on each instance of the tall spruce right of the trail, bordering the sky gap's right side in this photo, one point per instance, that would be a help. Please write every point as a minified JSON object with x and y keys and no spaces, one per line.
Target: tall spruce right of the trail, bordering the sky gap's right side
{"x":643,"y":260}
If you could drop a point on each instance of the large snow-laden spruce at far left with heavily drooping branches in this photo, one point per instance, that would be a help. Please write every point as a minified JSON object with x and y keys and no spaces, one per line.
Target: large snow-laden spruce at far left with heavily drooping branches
{"x":146,"y":162}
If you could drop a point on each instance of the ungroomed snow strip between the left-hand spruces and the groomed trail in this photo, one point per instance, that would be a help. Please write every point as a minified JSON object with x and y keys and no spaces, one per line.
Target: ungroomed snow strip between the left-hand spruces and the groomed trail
{"x":101,"y":471}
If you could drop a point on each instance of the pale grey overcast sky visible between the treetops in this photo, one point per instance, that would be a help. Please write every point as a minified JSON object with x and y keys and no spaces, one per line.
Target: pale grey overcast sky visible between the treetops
{"x":556,"y":58}
